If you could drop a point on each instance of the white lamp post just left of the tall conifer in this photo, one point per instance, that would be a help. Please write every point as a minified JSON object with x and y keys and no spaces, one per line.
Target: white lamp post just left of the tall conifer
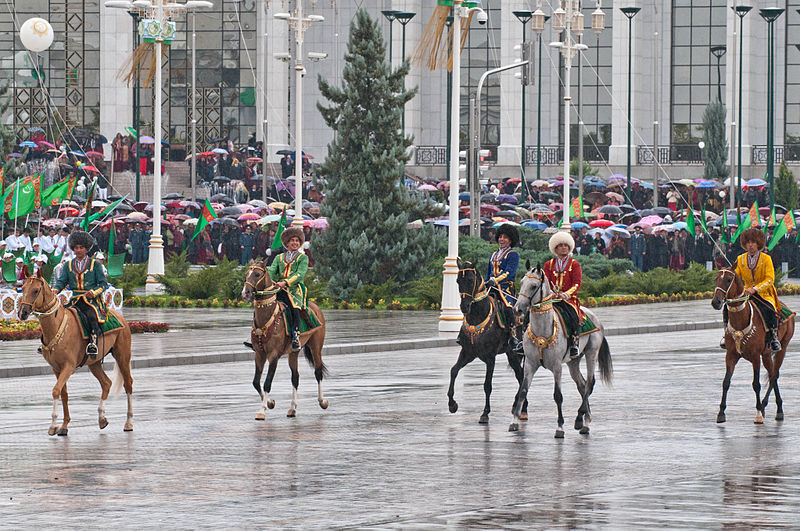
{"x":300,"y":22}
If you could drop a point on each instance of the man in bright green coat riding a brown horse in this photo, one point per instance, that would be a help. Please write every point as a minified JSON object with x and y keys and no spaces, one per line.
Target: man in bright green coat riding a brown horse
{"x":288,"y":271}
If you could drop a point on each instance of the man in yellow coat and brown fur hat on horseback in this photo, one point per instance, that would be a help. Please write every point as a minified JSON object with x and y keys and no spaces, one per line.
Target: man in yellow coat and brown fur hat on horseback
{"x":756,"y":270}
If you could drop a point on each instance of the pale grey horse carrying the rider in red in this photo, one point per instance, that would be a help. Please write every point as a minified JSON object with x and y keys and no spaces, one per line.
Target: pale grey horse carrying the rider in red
{"x":546,"y":345}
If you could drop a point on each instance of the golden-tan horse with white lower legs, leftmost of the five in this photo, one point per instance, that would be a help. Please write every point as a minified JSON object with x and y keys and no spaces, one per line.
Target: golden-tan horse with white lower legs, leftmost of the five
{"x":64,"y":348}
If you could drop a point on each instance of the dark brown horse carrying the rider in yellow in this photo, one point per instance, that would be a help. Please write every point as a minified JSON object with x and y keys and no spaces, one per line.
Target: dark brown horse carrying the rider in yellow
{"x":745,"y":337}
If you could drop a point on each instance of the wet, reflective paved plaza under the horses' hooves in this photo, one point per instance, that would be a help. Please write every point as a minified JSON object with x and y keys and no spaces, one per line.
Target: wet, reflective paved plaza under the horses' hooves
{"x":387,"y":454}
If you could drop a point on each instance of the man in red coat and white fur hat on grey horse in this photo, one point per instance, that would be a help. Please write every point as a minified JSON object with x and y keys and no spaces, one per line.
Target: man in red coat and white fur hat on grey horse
{"x":565,"y":275}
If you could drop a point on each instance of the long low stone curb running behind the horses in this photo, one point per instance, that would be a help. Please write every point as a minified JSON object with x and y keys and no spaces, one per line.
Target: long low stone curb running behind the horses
{"x":341,"y":348}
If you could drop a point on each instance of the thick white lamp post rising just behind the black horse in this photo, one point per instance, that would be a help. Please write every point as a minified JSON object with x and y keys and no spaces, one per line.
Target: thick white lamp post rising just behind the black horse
{"x":451,"y":317}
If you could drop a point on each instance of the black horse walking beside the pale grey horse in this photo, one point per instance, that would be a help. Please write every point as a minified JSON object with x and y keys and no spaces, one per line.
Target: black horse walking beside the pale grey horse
{"x":481,"y":336}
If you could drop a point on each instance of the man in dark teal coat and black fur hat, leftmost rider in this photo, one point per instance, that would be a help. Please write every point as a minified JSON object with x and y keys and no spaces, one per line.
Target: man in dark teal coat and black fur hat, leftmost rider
{"x":86,"y":278}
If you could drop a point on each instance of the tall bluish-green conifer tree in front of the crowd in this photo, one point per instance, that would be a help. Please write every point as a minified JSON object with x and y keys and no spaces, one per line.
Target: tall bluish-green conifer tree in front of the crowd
{"x":367,"y":206}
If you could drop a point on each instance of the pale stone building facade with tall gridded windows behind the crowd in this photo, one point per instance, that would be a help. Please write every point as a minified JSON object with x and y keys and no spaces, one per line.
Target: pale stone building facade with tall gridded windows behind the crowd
{"x":684,"y":54}
